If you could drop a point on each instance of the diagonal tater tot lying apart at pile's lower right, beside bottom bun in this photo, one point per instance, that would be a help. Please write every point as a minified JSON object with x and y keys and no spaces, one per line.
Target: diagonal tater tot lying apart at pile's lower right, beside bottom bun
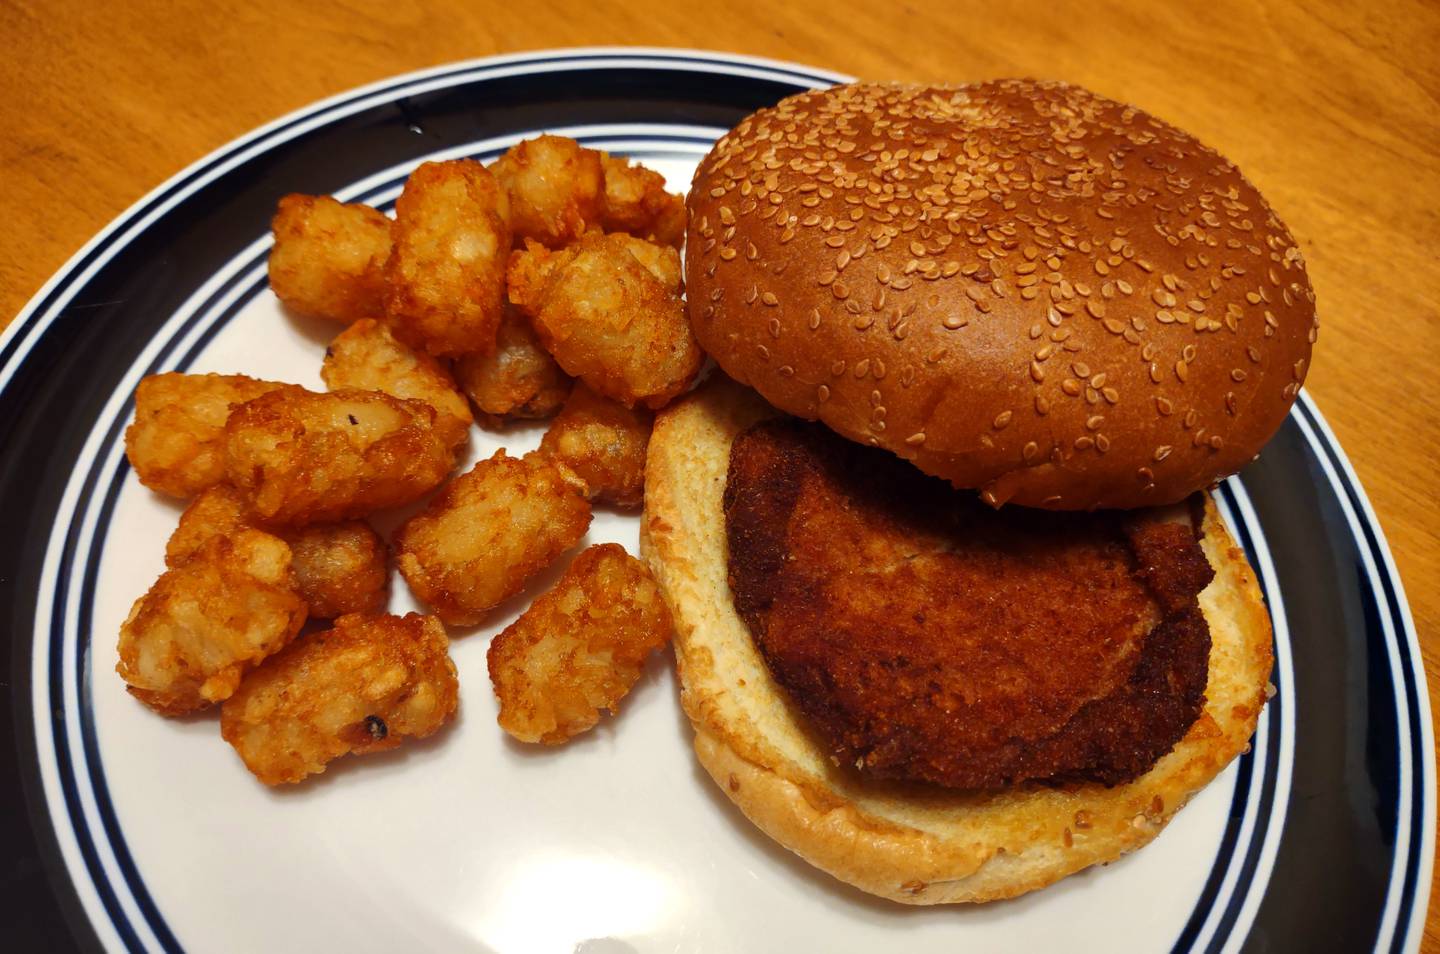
{"x":580,"y":648}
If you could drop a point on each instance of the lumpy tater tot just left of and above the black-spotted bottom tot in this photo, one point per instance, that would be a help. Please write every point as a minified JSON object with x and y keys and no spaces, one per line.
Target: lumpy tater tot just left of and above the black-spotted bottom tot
{"x":191,"y":639}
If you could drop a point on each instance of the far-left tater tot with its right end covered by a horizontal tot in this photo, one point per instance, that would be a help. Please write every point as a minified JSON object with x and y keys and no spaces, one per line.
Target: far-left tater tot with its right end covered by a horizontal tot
{"x":176,"y":443}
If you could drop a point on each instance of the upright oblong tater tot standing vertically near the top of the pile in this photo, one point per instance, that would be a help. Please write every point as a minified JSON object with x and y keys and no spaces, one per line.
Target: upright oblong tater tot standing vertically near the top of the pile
{"x":447,"y":269}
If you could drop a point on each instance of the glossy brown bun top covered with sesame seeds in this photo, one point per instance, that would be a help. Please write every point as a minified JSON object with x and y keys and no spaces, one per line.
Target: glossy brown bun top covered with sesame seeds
{"x":1019,"y":286}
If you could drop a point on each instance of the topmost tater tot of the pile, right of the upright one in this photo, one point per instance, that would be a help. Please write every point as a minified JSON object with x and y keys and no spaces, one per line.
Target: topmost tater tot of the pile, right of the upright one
{"x":557,"y":188}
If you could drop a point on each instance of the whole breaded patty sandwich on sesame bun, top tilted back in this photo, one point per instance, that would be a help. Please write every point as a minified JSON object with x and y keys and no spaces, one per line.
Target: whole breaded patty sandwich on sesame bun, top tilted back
{"x":955,"y":615}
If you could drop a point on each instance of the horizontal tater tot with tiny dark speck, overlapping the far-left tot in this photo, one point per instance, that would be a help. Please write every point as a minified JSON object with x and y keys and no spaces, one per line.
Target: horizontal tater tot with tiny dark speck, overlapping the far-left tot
{"x":302,"y":458}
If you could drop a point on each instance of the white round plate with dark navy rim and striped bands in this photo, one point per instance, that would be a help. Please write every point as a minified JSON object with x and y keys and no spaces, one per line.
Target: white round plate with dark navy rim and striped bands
{"x":127,"y":832}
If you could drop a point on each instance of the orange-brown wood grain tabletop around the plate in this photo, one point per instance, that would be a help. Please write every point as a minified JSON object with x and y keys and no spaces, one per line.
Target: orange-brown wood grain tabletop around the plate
{"x":1331,"y":109}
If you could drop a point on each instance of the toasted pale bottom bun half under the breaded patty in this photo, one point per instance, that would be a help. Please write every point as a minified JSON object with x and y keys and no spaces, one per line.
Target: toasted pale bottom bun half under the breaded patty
{"x":915,"y":845}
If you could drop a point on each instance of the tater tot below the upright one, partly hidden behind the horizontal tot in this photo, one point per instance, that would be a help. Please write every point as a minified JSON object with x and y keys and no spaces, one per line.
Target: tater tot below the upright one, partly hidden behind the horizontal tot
{"x":366,"y":357}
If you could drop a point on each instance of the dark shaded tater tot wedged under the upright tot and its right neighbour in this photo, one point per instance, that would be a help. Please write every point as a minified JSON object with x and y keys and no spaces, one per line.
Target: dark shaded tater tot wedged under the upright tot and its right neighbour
{"x":519,"y":380}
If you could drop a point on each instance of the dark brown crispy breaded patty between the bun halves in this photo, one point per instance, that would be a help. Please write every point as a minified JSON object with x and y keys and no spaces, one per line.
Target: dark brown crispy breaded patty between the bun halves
{"x":928,"y":638}
